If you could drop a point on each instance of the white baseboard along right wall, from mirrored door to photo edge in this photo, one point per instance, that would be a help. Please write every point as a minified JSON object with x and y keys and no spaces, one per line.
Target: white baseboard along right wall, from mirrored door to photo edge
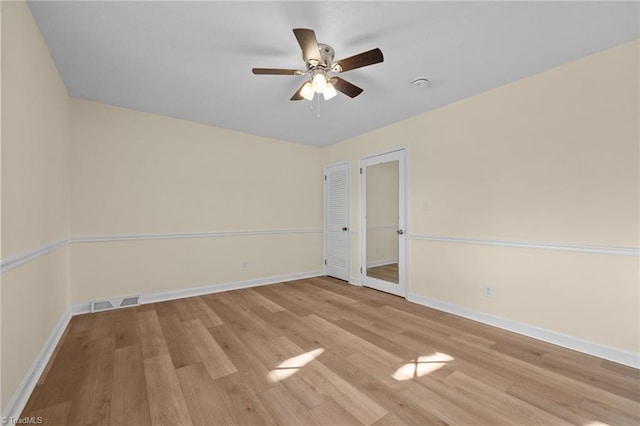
{"x":602,"y":351}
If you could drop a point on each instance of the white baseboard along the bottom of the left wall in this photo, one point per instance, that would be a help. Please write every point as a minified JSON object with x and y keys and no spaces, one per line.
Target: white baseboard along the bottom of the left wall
{"x":30,"y":380}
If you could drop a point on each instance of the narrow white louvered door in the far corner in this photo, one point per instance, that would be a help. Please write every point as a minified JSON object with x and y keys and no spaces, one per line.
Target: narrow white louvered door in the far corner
{"x":336,"y":220}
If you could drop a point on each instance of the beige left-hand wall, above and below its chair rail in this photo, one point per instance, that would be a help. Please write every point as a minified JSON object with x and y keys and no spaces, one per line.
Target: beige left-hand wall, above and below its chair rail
{"x":35,"y":195}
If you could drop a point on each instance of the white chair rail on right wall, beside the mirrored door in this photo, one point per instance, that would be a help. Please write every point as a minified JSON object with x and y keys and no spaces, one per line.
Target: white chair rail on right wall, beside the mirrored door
{"x":581,"y":248}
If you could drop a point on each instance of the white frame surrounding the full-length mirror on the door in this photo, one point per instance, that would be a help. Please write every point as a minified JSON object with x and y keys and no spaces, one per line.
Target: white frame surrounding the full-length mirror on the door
{"x":398,"y":154}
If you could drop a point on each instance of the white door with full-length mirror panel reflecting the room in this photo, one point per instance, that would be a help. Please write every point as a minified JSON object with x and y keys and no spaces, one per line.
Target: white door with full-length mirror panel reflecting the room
{"x":382,"y":222}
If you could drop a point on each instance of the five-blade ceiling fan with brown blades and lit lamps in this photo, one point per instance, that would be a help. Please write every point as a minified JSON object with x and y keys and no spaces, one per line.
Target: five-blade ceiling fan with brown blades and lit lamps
{"x":318,"y":59}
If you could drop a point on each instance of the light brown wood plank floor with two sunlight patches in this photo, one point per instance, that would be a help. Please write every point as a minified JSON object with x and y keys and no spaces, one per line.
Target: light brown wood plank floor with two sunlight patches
{"x":319,"y":352}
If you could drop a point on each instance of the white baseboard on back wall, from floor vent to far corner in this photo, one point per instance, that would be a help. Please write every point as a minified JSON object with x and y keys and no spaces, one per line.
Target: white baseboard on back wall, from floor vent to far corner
{"x":217,"y":288}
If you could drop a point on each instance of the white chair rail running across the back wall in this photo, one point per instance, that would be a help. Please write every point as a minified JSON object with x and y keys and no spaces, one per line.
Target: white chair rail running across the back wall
{"x":129,"y":237}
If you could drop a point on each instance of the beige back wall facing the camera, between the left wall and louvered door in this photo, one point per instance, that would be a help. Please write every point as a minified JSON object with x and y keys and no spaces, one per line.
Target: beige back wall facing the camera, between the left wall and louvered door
{"x":138,"y":173}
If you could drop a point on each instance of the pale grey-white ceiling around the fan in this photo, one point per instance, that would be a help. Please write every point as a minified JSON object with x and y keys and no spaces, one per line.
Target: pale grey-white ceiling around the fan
{"x":193,"y":60}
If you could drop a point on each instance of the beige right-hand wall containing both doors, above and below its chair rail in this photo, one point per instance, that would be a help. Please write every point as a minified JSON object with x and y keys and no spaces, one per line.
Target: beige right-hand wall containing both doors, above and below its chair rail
{"x":550,"y":158}
